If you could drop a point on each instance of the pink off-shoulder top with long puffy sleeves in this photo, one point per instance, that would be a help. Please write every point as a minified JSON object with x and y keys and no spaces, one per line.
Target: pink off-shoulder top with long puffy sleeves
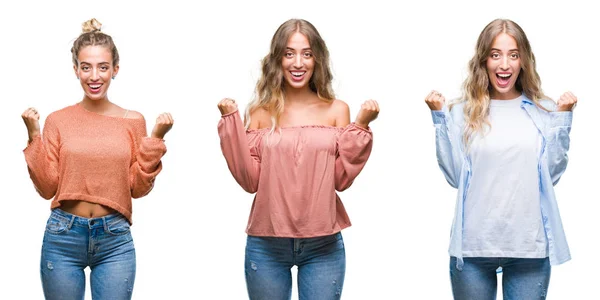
{"x":295,"y":172}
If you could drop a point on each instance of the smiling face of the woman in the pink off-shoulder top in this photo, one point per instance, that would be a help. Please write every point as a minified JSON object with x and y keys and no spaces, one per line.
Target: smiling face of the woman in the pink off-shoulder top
{"x":298,"y":62}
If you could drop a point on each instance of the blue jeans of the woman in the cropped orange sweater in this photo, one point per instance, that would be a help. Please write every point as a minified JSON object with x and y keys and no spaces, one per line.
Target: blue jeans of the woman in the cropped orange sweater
{"x":72,"y":243}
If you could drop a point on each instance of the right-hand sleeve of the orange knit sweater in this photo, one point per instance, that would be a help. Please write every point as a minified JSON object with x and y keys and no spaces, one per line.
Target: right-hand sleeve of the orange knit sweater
{"x":146,"y":163}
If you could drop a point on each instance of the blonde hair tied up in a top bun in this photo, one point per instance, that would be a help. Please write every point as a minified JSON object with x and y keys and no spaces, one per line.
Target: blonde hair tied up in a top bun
{"x":92,"y":36}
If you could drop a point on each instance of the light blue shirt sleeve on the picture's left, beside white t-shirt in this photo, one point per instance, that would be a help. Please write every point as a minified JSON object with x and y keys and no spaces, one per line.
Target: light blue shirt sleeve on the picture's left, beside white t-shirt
{"x":448,"y":147}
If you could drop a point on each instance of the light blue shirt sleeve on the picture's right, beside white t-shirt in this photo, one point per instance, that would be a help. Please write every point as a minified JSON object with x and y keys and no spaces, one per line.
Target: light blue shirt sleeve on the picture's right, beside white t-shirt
{"x":558,"y":143}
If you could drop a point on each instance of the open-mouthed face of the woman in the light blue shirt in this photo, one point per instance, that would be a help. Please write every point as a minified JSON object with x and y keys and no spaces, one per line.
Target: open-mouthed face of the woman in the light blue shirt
{"x":503,"y":67}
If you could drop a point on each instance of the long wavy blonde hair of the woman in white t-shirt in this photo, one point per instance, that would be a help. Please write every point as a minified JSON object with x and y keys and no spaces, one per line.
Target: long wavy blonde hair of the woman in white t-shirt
{"x":476,"y":88}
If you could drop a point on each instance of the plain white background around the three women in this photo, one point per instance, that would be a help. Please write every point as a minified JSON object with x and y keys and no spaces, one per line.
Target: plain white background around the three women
{"x":189,"y":232}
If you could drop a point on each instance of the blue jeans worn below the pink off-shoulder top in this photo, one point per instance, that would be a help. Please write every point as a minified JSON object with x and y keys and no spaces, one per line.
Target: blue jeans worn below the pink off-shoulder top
{"x":321,"y":265}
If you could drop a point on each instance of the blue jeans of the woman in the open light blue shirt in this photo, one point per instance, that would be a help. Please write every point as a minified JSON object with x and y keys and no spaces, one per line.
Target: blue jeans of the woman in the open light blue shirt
{"x":522,"y":278}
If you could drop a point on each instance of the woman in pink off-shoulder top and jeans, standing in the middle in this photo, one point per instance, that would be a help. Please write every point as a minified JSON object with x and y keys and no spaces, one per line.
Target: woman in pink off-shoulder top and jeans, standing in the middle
{"x":294,"y":150}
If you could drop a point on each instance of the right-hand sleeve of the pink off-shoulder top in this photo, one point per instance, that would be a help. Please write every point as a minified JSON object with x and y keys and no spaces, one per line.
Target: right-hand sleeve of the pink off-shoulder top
{"x":354,"y":146}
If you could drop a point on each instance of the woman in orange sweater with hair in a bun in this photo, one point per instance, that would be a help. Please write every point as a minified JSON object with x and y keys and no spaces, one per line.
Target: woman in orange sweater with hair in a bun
{"x":92,"y":158}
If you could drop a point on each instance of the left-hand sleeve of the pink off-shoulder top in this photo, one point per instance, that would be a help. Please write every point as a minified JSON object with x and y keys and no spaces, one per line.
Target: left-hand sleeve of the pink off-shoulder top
{"x":240,"y":149}
